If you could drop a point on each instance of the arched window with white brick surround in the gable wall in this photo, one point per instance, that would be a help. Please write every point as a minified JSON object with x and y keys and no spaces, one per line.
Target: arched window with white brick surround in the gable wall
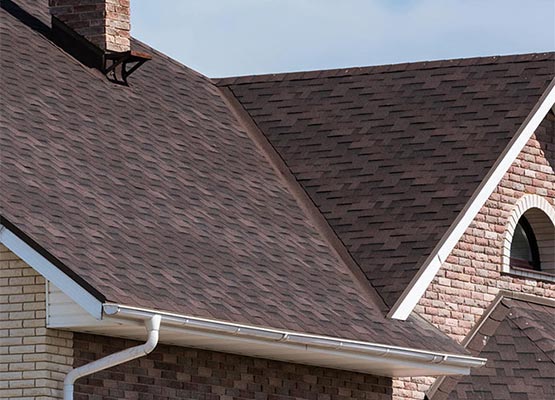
{"x":529,"y":249}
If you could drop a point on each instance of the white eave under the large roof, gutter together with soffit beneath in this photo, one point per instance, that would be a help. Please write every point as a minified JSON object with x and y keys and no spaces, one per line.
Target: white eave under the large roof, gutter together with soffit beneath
{"x":378,"y":359}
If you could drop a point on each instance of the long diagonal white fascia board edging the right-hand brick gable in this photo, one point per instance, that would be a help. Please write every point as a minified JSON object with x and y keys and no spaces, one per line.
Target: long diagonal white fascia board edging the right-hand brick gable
{"x":417,"y":287}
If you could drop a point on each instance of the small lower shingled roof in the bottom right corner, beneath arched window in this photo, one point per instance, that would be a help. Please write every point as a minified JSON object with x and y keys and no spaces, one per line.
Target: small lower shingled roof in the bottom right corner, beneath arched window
{"x":519,"y":343}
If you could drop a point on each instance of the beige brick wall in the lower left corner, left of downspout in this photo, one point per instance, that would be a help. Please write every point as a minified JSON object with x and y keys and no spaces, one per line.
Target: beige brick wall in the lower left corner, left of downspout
{"x":33,"y":359}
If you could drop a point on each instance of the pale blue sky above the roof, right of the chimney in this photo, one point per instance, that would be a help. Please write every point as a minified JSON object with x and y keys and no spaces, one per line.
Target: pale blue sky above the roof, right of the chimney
{"x":242,"y":37}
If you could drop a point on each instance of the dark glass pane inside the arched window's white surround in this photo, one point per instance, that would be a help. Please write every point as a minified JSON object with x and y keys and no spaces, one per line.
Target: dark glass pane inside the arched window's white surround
{"x":524,"y":248}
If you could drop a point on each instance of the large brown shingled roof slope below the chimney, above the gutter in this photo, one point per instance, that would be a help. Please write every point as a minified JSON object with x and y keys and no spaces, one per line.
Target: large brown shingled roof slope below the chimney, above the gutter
{"x":154,"y":196}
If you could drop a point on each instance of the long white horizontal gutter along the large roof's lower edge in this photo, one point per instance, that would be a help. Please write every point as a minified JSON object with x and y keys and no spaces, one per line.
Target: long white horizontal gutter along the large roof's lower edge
{"x":308,"y":342}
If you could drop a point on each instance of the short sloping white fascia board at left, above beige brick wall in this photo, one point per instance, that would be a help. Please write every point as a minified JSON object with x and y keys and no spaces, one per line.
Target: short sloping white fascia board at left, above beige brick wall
{"x":50,"y":272}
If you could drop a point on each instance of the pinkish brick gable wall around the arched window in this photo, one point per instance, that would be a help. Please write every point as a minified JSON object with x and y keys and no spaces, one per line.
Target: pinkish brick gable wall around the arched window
{"x":471,"y":276}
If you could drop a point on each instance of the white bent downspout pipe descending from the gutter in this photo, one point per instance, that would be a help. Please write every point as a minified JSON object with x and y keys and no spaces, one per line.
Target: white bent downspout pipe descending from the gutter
{"x":153,"y":328}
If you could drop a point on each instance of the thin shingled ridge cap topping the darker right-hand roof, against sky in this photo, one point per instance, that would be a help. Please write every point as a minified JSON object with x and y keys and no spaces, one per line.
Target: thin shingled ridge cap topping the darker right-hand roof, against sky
{"x":381,"y":68}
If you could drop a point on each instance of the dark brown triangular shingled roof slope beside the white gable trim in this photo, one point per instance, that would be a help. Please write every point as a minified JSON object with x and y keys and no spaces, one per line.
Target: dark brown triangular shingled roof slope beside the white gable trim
{"x":391,"y":154}
